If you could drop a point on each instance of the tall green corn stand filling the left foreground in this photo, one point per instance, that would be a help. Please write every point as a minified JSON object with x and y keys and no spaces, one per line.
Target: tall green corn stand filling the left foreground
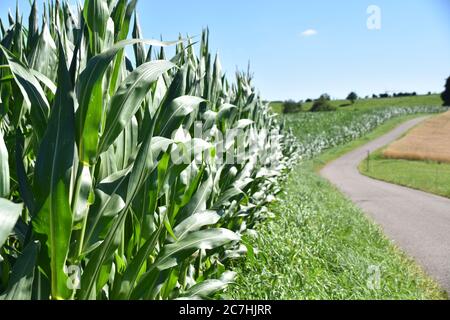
{"x":113,"y":183}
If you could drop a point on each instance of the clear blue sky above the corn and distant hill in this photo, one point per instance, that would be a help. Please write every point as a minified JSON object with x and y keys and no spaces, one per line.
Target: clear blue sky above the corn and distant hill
{"x":411,"y":51}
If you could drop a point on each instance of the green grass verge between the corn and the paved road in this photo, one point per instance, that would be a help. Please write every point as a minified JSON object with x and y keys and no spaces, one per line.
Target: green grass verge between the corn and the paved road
{"x":321,"y":246}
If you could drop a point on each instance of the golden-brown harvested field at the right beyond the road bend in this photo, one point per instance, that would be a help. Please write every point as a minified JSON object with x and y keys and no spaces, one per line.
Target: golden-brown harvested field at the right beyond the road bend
{"x":428,"y":141}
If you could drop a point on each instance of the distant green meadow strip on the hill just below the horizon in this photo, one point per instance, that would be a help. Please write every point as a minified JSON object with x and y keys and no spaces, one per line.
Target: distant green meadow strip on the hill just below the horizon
{"x":423,"y":100}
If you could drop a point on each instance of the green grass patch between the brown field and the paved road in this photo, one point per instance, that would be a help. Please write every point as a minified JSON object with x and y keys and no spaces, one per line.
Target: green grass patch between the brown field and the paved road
{"x":428,"y":176}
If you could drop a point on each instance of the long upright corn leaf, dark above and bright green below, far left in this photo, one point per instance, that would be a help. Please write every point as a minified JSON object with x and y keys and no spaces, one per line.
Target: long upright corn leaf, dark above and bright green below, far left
{"x":53,"y":165}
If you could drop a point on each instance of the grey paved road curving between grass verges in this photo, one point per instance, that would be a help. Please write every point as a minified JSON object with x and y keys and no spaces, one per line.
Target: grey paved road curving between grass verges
{"x":418,"y":222}
